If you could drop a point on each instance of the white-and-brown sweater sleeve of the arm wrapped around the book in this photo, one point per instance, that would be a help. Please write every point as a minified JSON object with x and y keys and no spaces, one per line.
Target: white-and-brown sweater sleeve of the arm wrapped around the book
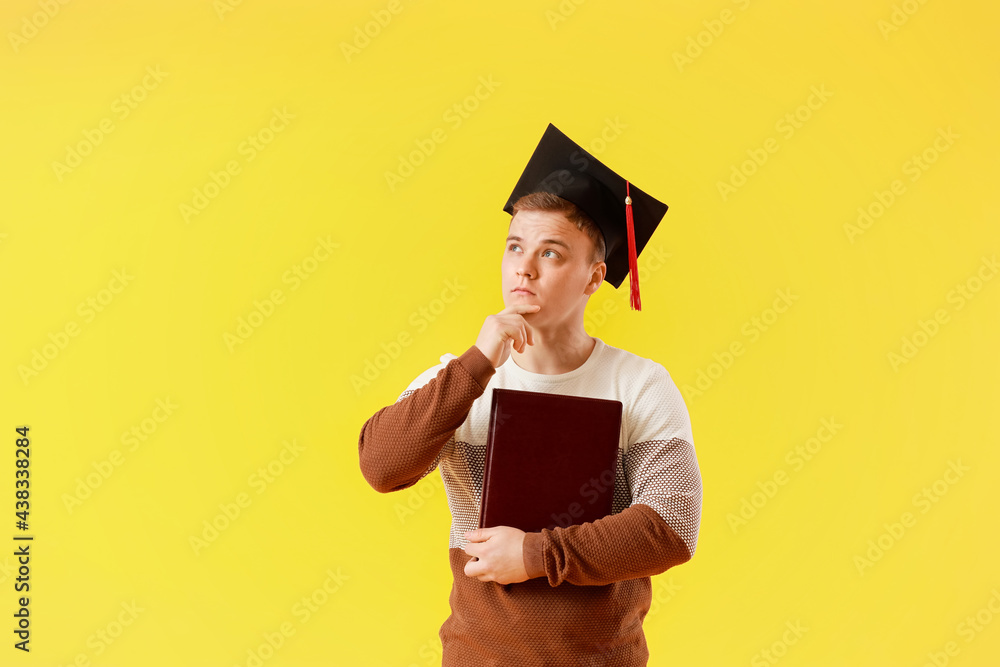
{"x":659,"y":529}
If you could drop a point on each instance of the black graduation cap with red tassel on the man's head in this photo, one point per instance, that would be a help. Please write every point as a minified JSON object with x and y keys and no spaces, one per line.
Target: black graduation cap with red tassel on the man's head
{"x":625,"y":214}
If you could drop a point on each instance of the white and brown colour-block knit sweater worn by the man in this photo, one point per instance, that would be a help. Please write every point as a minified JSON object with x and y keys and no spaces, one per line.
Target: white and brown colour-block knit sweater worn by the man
{"x":589,"y":587}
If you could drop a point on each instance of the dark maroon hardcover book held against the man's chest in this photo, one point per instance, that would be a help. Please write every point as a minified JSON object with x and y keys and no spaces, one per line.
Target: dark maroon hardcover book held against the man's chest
{"x":550,"y":460}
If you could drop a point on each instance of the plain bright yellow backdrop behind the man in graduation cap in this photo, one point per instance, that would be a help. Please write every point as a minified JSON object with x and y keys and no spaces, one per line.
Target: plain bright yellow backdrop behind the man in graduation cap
{"x":683,"y":127}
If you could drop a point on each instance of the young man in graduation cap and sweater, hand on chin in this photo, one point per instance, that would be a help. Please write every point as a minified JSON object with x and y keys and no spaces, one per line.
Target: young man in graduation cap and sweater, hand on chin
{"x":577,"y":594}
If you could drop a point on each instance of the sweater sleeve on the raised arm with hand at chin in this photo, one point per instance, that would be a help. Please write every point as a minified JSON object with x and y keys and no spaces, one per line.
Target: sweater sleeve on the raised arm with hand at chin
{"x":401,"y":443}
